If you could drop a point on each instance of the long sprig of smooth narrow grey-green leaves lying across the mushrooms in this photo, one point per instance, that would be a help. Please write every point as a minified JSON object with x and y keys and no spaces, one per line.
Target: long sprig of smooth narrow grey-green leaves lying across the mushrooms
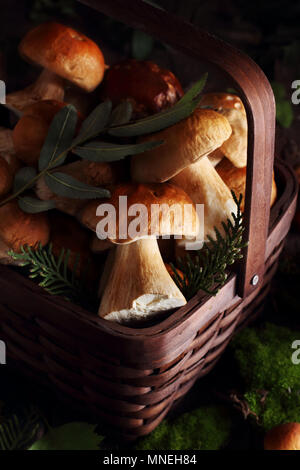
{"x":103,"y":123}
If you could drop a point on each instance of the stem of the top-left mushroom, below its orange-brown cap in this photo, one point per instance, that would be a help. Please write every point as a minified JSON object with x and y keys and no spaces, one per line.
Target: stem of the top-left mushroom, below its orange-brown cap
{"x":48,"y":86}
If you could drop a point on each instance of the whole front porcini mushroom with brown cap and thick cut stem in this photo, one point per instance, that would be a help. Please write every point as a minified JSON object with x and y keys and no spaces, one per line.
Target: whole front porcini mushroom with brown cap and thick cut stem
{"x":139,"y":285}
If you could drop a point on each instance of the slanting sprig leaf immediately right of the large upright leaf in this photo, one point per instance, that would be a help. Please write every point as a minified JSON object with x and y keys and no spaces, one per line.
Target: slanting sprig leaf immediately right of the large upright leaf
{"x":95,"y":123}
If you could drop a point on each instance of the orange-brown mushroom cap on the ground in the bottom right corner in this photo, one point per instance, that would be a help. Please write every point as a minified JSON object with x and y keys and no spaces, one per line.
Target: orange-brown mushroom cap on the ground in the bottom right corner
{"x":283,"y":437}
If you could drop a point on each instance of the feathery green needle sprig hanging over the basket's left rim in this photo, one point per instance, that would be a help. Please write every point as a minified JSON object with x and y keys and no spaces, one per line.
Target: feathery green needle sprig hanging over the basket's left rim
{"x":53,"y":273}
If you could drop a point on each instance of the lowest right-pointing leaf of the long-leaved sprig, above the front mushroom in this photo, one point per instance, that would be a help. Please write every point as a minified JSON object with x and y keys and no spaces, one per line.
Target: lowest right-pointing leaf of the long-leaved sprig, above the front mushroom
{"x":66,"y":186}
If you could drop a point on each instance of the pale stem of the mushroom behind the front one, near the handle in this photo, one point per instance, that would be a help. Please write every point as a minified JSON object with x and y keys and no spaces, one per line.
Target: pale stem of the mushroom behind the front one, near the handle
{"x":204,"y":186}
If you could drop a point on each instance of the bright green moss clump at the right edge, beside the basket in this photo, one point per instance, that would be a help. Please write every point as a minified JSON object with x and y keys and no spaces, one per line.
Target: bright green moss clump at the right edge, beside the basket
{"x":272,"y":381}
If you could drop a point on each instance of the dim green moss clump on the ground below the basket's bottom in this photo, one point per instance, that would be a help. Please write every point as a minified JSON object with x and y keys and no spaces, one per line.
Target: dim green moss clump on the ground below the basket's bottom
{"x":206,"y":428}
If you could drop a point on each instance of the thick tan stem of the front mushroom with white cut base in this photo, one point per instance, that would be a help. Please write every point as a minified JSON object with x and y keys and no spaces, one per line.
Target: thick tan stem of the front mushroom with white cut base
{"x":139,"y":285}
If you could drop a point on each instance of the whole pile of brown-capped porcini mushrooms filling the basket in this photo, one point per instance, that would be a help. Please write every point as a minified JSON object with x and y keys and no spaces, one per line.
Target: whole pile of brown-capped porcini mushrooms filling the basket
{"x":202,"y":159}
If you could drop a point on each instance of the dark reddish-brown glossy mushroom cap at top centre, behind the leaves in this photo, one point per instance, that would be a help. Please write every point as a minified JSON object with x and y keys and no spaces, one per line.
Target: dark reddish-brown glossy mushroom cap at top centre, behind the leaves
{"x":147,"y":86}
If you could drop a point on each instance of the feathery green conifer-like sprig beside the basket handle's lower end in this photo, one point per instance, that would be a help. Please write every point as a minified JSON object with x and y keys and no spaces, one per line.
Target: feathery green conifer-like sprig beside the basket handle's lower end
{"x":207,"y":270}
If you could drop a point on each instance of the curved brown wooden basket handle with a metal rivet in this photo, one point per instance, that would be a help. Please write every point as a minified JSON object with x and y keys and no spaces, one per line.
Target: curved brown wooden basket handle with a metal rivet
{"x":257,"y":97}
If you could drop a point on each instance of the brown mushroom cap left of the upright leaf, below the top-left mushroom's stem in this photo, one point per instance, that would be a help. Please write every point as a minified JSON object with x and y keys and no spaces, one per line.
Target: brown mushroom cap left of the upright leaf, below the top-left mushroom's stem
{"x":32,"y":128}
